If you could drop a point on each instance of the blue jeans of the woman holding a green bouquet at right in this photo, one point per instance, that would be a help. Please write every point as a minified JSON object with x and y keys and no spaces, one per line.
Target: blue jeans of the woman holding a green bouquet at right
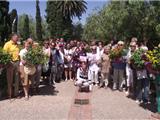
{"x":142,"y":89}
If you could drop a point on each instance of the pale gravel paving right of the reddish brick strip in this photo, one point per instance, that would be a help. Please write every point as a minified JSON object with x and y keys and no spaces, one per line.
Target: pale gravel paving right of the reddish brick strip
{"x":107,"y":104}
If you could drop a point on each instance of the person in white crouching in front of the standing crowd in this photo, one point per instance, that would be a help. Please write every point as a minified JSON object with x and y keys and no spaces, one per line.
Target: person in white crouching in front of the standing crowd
{"x":82,"y":77}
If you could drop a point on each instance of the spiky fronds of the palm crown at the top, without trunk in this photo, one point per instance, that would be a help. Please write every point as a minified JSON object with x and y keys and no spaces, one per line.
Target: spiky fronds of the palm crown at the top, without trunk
{"x":72,"y":8}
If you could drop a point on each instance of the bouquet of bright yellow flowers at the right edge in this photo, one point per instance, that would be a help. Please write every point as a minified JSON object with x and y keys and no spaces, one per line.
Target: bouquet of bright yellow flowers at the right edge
{"x":154,"y":58}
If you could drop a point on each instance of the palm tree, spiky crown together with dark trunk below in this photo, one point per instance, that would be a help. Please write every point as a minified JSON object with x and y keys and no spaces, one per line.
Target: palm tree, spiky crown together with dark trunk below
{"x":70,"y":9}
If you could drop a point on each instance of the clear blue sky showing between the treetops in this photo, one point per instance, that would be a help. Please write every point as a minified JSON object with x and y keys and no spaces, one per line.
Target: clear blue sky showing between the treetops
{"x":28,"y":7}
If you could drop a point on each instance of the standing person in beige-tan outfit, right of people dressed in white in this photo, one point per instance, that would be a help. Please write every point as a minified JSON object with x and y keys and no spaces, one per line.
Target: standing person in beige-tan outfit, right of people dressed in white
{"x":105,"y":66}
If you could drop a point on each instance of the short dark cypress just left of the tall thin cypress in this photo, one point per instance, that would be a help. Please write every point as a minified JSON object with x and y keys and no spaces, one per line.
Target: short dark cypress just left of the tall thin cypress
{"x":26,"y":32}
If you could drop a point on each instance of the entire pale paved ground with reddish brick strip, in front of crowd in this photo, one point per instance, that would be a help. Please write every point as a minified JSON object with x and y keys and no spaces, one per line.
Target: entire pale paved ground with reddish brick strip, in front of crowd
{"x":59,"y":104}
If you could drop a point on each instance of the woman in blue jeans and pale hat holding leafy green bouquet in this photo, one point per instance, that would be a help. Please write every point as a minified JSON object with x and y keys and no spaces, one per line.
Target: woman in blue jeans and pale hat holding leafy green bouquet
{"x":142,"y":82}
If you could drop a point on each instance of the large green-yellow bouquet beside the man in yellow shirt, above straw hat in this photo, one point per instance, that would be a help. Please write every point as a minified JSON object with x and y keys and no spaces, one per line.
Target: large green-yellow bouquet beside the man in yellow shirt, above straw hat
{"x":35,"y":56}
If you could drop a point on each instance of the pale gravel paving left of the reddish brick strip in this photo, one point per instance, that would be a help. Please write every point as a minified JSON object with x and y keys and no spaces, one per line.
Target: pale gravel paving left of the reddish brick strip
{"x":47,"y":106}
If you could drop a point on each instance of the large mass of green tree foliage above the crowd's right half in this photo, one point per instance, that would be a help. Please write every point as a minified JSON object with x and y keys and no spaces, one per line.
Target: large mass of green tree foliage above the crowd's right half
{"x":123,"y":20}
